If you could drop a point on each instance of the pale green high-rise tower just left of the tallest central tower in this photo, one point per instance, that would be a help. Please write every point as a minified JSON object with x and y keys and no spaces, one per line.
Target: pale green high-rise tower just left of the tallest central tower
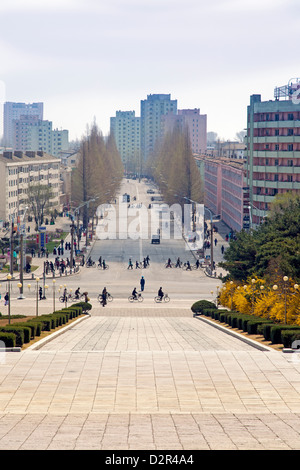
{"x":126,"y":129}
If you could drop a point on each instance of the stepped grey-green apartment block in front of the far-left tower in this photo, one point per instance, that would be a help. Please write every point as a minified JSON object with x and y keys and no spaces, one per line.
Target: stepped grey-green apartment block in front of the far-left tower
{"x":33,"y":134}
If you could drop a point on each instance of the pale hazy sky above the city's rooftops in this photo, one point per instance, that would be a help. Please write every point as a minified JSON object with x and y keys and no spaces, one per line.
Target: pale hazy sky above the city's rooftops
{"x":87,"y":59}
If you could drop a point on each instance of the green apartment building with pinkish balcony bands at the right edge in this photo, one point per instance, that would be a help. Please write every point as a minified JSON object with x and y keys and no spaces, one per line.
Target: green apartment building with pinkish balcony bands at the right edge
{"x":272,"y":156}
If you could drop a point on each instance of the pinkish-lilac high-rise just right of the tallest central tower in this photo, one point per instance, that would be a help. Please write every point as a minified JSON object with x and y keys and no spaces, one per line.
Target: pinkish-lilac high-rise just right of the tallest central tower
{"x":194,"y":122}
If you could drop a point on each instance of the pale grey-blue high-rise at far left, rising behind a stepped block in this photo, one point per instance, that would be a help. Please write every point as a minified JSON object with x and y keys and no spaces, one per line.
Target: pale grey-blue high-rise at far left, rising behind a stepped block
{"x":13,"y":111}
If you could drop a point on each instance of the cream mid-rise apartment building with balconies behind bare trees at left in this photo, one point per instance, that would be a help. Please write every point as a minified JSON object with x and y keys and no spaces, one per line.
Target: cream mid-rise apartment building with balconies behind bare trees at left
{"x":17,"y":171}
